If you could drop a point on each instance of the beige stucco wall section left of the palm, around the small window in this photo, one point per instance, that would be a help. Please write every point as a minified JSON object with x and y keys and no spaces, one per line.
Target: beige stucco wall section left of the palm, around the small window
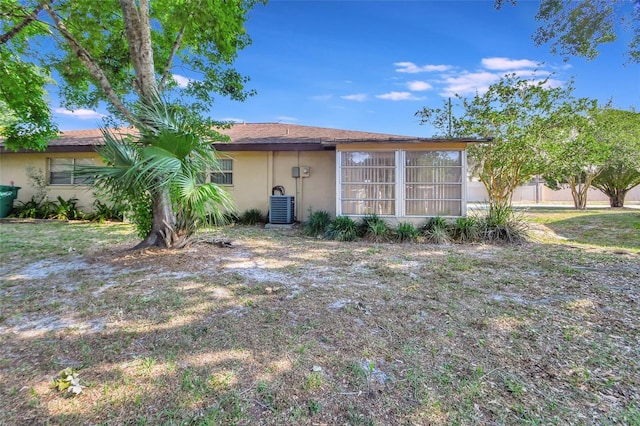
{"x":13,"y":168}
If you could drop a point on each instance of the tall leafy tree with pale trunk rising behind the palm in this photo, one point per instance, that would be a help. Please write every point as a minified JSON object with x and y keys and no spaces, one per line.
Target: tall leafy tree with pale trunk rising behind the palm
{"x":124,"y":53}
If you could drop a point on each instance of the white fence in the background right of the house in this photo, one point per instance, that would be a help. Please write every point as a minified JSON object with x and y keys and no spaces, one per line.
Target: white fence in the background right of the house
{"x":538,"y":193}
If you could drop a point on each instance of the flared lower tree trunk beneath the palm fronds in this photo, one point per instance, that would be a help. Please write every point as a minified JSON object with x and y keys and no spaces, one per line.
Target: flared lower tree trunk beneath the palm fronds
{"x":163,"y":230}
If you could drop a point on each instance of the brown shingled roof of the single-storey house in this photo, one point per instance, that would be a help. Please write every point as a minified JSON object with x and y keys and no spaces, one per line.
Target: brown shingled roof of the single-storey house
{"x":254,"y":137}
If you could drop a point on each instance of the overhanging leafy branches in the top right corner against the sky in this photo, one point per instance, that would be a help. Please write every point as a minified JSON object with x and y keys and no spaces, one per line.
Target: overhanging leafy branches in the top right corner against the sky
{"x":578,"y":28}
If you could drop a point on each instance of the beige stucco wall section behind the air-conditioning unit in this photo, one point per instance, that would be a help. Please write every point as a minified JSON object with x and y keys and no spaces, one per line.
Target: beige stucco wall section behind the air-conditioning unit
{"x":256,"y":173}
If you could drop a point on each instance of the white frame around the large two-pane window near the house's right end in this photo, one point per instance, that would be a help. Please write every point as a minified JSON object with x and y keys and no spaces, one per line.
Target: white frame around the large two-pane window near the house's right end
{"x":400,"y":173}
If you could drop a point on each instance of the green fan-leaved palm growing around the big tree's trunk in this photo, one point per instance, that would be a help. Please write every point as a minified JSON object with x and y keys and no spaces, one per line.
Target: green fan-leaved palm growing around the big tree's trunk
{"x":158,"y":174}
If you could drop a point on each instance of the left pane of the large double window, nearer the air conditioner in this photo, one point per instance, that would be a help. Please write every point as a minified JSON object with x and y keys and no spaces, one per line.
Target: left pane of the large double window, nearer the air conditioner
{"x":368,"y":181}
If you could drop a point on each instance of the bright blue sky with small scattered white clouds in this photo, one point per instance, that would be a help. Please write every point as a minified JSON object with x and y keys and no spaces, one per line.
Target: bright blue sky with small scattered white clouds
{"x":370,"y":65}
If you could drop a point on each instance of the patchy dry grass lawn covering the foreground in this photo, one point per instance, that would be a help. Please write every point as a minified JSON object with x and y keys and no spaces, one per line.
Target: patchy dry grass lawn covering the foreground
{"x":284,"y":329}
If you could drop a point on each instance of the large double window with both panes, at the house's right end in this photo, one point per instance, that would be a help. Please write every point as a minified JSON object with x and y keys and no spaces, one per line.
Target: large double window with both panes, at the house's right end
{"x":401,"y":183}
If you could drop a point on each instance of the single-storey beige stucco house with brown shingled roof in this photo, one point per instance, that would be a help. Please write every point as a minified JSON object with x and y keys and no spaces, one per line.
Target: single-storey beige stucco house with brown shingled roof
{"x":341,"y":171}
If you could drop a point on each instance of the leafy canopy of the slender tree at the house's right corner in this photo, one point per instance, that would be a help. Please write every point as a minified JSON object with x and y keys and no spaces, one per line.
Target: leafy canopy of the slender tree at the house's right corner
{"x":516,"y":113}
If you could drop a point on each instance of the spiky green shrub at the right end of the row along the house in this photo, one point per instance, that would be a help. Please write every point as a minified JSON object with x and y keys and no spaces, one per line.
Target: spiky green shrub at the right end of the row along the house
{"x":501,"y":224}
